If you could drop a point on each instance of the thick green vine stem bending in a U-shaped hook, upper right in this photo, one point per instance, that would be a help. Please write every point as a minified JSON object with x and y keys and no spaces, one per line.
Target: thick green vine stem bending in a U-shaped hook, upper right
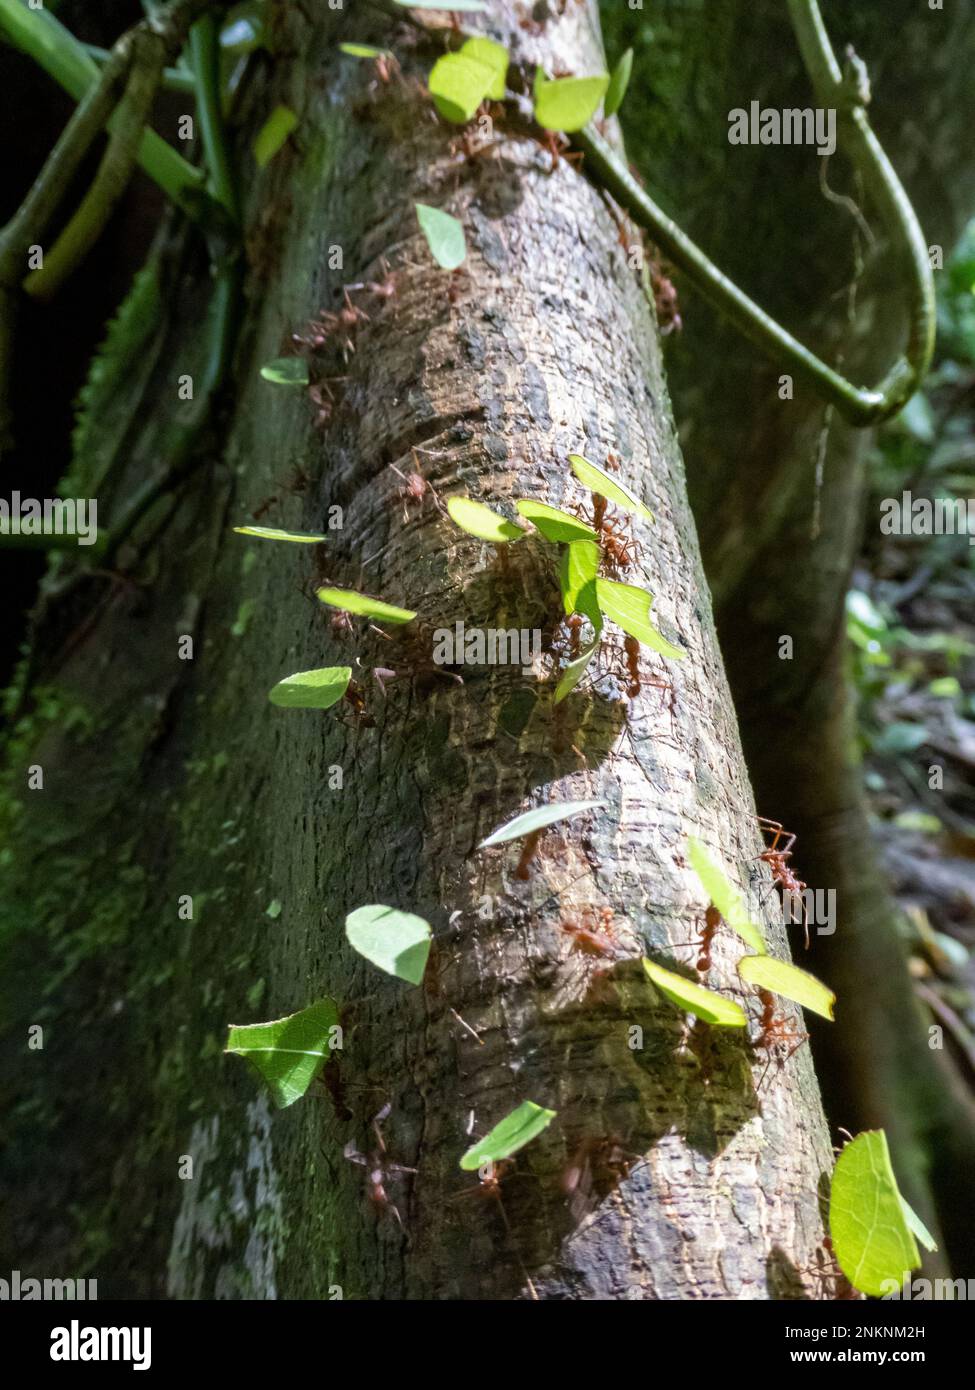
{"x":859,"y":407}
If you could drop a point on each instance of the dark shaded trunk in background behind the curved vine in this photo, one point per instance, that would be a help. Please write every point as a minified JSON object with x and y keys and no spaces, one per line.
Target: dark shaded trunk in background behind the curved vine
{"x":753,"y":469}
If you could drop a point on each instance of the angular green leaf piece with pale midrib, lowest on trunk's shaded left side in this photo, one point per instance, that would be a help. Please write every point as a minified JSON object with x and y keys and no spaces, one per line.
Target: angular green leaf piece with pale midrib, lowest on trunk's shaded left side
{"x":289,"y":1053}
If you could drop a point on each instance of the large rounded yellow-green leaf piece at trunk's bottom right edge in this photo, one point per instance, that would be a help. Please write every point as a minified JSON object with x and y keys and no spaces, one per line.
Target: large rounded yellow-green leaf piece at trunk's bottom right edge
{"x":871,"y":1238}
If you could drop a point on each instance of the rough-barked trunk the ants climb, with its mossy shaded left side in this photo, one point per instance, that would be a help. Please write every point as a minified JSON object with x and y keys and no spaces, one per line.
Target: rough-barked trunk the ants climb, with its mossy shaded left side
{"x":168,"y":778}
